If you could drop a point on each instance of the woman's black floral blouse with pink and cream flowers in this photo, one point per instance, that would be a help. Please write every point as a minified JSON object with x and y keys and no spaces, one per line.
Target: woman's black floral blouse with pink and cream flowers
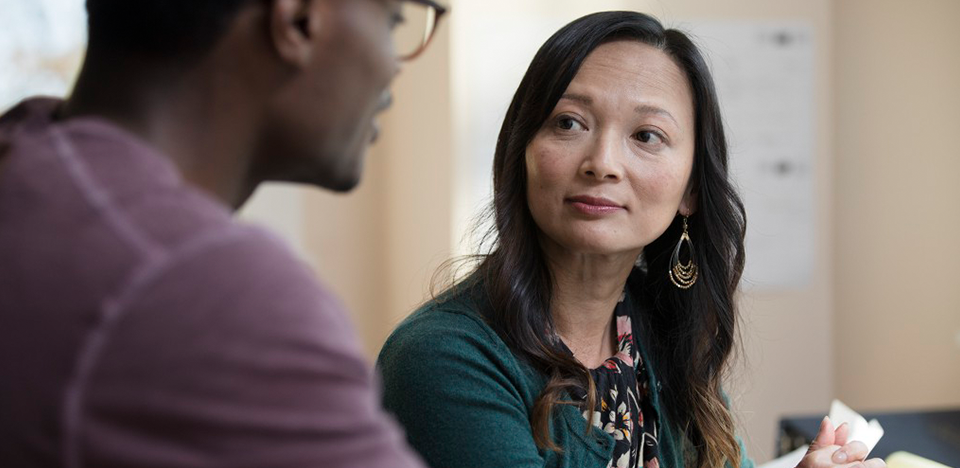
{"x":624,"y":407}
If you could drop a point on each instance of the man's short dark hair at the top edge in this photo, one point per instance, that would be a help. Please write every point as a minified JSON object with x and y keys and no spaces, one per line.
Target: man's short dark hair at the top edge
{"x":159,"y":28}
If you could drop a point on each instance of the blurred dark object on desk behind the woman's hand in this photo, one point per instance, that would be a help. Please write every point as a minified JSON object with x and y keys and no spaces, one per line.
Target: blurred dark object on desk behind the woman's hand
{"x":929,"y":434}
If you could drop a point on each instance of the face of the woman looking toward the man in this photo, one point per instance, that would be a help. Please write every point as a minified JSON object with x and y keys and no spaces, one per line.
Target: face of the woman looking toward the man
{"x":610,"y":168}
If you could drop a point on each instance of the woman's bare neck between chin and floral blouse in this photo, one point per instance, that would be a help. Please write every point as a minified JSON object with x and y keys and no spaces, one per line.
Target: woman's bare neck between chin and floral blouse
{"x":586,"y":290}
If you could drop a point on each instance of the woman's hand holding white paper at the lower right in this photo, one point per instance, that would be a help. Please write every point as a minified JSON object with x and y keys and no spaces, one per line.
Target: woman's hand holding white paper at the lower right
{"x":830,"y":449}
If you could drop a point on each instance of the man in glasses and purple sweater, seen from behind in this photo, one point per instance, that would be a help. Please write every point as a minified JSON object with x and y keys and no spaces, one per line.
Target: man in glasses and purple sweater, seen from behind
{"x":140,"y":325}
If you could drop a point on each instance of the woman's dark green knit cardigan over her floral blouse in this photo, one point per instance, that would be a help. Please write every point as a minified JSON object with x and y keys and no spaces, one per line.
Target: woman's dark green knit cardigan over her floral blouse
{"x":465,"y":399}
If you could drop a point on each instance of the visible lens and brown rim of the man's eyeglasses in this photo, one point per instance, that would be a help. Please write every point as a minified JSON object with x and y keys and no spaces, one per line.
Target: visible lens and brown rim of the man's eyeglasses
{"x":415,"y":25}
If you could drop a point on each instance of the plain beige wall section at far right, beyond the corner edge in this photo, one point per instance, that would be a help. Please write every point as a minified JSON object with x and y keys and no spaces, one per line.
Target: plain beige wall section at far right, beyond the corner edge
{"x":897,"y":203}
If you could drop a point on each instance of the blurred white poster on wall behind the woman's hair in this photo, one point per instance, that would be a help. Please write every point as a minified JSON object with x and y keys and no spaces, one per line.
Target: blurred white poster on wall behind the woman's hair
{"x":764,"y":74}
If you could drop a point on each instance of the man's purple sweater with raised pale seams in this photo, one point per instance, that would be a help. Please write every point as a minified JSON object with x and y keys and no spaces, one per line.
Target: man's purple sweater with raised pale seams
{"x":141,"y":326}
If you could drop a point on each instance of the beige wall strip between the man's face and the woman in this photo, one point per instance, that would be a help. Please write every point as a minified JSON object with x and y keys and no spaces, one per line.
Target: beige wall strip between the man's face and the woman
{"x":378,"y":246}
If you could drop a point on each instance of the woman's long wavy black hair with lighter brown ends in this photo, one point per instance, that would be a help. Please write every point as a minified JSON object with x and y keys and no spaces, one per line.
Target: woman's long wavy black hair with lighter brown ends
{"x":690,"y":333}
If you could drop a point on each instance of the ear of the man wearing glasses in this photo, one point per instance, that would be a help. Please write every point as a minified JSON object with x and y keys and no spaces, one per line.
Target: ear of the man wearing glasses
{"x":293,"y":25}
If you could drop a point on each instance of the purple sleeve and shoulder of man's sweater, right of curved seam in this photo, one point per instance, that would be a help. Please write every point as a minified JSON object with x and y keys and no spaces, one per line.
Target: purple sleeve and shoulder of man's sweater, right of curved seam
{"x":228,"y":352}
